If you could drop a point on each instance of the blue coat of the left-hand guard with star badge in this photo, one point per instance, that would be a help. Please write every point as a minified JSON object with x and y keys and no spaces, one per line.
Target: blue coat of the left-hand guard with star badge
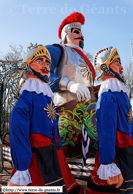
{"x":28,"y":116}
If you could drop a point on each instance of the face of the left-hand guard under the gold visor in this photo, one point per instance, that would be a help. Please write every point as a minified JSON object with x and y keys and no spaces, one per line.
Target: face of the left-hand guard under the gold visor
{"x":41,"y":65}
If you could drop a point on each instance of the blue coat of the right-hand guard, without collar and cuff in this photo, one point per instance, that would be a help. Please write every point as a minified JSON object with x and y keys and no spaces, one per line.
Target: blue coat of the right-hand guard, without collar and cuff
{"x":111,"y":113}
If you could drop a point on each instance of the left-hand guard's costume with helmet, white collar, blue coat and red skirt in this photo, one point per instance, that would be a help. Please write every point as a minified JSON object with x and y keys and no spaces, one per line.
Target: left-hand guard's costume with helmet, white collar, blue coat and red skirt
{"x":34,"y":136}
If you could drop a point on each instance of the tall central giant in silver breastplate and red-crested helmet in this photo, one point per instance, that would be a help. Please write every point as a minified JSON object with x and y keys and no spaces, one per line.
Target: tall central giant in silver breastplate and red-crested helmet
{"x":71,"y":75}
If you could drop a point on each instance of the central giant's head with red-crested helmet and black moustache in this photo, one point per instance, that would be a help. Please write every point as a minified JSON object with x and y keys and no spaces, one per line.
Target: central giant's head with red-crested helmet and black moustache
{"x":70,"y":29}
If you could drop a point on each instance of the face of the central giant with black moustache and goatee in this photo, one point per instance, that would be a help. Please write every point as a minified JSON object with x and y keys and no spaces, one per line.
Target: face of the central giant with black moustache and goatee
{"x":77,"y":37}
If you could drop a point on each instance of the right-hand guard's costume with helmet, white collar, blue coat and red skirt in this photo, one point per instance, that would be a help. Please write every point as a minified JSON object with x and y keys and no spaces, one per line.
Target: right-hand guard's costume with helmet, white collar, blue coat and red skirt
{"x":114,"y":127}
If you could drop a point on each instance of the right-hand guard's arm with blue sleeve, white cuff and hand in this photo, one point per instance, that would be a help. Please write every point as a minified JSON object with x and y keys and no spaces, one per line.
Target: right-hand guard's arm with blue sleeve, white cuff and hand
{"x":107,"y":128}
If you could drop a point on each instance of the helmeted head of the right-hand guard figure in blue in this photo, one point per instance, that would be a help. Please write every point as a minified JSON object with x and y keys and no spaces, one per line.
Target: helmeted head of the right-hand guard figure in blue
{"x":107,"y":61}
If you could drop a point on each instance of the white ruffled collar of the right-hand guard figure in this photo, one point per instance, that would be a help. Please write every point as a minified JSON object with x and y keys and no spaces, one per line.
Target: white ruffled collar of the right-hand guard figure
{"x":112,"y":84}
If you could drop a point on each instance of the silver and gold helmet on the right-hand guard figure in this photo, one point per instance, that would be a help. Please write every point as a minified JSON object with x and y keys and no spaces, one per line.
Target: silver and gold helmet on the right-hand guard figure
{"x":102,"y":61}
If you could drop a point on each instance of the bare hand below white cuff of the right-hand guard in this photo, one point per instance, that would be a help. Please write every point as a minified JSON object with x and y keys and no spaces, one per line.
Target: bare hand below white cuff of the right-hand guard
{"x":116,"y":180}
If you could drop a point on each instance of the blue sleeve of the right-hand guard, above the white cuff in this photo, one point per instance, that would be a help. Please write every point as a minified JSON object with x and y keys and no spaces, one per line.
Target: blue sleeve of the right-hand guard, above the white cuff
{"x":107,"y":129}
